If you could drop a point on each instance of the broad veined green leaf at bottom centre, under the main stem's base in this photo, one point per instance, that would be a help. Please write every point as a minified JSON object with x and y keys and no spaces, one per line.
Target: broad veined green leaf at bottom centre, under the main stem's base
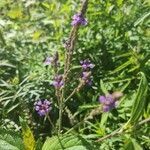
{"x":67,"y":142}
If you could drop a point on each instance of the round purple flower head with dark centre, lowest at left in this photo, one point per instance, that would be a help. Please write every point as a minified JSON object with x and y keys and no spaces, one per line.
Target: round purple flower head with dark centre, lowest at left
{"x":42,"y":107}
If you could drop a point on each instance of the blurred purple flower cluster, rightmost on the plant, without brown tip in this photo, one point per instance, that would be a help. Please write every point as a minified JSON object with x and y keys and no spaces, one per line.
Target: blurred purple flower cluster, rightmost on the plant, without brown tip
{"x":108,"y":102}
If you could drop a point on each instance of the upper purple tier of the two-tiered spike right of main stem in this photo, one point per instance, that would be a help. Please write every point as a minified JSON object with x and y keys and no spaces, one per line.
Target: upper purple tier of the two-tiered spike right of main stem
{"x":86,"y":64}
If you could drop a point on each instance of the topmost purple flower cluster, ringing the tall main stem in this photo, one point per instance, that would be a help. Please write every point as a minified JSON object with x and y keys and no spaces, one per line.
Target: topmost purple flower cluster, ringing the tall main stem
{"x":78,"y":19}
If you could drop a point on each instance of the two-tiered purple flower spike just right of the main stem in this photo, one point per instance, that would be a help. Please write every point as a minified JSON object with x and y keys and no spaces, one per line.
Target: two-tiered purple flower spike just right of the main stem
{"x":86,"y":73}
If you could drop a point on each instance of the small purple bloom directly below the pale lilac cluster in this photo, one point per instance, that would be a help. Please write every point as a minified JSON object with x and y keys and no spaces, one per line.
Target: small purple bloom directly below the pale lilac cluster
{"x":58,"y":81}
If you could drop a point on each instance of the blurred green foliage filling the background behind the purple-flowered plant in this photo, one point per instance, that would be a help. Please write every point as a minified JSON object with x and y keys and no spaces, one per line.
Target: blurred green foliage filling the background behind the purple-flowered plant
{"x":116,"y":40}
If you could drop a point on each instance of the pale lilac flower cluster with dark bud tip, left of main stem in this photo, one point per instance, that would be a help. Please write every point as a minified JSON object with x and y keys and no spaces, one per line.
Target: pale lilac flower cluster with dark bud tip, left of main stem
{"x":54,"y":60}
